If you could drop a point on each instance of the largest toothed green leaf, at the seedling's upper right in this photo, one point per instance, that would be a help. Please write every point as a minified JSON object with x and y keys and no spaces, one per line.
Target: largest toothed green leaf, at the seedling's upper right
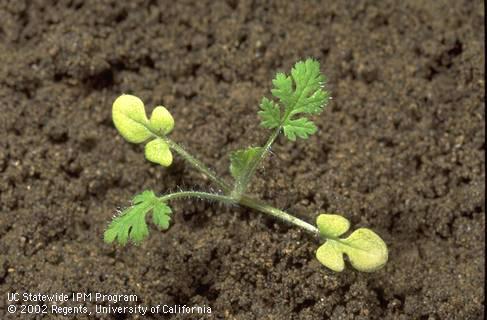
{"x":300,"y":93}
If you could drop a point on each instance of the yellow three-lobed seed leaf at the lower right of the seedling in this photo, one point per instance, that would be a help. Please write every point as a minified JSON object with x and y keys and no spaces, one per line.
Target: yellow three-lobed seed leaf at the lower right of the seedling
{"x":366,"y":251}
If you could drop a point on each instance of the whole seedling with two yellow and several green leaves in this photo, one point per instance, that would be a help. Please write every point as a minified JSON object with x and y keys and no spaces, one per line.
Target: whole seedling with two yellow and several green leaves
{"x":296,"y":97}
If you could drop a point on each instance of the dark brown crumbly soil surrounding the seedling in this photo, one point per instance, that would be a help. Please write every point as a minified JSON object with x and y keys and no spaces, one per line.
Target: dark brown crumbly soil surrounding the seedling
{"x":400,"y":149}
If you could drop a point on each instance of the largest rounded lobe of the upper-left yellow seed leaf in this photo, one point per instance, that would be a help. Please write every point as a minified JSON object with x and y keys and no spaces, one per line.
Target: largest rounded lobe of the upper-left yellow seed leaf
{"x":129,"y":117}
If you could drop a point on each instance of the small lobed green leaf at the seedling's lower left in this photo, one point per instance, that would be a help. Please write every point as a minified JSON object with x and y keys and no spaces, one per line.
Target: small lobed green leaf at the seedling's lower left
{"x":131,"y":224}
